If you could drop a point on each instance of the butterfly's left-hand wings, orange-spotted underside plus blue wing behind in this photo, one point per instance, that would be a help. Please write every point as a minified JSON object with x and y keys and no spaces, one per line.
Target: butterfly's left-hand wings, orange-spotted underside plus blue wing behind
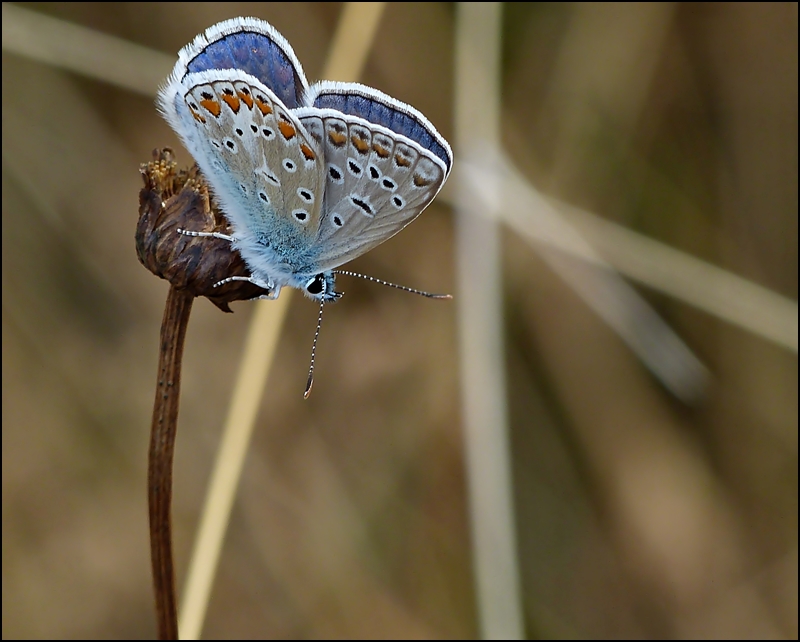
{"x":261,"y":163}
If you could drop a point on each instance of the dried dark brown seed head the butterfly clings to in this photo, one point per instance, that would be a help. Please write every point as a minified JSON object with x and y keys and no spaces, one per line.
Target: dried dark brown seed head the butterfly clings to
{"x":172,"y":200}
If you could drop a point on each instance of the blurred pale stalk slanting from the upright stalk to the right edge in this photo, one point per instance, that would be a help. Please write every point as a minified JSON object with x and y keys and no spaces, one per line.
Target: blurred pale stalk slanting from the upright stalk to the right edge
{"x":703,"y":285}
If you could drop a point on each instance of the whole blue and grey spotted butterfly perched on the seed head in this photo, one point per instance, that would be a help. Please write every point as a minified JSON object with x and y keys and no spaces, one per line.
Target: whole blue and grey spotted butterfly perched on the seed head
{"x":309,"y":177}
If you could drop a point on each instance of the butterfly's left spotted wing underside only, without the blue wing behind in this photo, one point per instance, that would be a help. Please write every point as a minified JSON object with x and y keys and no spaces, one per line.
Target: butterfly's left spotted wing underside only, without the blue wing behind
{"x":260,"y":161}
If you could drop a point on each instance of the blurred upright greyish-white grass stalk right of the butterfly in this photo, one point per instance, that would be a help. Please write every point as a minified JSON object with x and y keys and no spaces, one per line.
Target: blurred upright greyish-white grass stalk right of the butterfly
{"x":483,"y":389}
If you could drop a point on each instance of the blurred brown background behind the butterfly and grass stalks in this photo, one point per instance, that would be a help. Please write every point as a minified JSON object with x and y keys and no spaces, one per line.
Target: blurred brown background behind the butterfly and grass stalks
{"x":638,"y":512}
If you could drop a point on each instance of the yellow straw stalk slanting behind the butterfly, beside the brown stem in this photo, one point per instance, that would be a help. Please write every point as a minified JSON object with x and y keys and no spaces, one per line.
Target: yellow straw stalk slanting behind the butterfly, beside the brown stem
{"x":352,"y":41}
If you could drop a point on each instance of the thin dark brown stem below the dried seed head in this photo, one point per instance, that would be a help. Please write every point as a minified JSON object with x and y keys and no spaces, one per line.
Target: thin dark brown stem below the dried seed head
{"x":162,"y":449}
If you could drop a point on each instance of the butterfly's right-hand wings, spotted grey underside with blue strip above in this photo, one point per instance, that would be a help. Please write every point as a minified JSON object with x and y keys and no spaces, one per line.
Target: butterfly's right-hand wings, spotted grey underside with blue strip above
{"x":384,"y":163}
